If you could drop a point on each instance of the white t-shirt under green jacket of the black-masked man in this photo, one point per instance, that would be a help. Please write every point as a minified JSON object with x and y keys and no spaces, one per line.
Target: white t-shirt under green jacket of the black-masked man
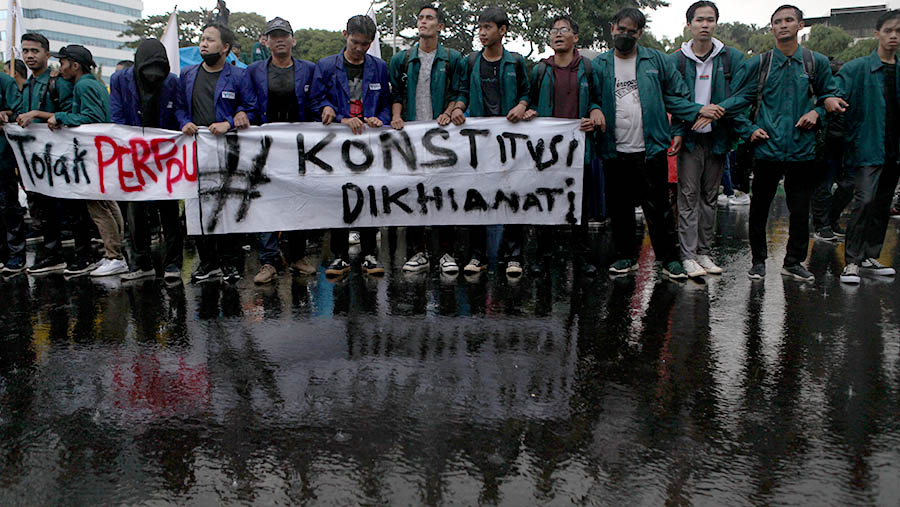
{"x":629,"y":119}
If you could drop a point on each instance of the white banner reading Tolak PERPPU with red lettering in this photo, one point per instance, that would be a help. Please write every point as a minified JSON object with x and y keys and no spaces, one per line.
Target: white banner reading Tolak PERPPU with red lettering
{"x":105,"y":161}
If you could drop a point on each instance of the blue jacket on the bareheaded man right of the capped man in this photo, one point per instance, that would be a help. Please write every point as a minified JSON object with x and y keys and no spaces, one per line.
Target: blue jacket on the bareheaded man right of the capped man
{"x":330,"y":88}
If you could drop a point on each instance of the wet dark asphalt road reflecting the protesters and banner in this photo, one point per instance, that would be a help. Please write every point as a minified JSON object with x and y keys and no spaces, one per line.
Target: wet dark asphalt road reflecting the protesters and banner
{"x":419,"y":390}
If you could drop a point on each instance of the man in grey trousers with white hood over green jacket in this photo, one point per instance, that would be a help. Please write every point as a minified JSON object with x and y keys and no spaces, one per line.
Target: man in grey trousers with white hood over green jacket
{"x":701,"y":153}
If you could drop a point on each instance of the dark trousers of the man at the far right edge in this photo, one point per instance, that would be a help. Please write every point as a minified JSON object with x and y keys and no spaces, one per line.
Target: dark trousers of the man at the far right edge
{"x":870,"y":212}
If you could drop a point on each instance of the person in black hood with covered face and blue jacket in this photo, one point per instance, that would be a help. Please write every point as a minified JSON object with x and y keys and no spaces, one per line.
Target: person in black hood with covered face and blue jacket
{"x":144,"y":96}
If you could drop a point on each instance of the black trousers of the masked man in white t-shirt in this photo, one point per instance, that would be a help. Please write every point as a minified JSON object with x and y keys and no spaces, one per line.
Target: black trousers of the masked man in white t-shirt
{"x":632,"y":179}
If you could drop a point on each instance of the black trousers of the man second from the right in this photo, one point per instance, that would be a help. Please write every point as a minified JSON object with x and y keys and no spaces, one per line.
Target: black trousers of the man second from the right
{"x":799,"y":182}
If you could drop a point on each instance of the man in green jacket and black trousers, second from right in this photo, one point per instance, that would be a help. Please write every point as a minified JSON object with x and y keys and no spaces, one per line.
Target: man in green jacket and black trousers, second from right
{"x":785,"y":139}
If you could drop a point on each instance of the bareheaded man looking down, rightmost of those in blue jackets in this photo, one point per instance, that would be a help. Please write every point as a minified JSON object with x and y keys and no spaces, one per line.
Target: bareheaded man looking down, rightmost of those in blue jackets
{"x":352,"y":87}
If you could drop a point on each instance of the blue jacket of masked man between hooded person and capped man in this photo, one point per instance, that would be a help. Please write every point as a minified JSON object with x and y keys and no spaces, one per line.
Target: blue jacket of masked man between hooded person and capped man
{"x":231,"y":83}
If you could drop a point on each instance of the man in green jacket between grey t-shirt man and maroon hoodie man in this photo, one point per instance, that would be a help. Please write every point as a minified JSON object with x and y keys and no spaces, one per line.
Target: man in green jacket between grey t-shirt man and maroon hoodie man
{"x":497,"y":85}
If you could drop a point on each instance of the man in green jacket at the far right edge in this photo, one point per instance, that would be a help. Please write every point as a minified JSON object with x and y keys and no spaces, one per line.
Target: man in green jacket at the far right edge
{"x":871,"y":85}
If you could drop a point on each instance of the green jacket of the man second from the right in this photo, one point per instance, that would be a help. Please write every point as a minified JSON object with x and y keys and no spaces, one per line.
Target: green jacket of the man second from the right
{"x":785,"y":99}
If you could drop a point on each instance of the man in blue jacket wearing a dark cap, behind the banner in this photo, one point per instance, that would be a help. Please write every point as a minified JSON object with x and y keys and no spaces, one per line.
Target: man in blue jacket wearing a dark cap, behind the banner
{"x":281,"y":86}
